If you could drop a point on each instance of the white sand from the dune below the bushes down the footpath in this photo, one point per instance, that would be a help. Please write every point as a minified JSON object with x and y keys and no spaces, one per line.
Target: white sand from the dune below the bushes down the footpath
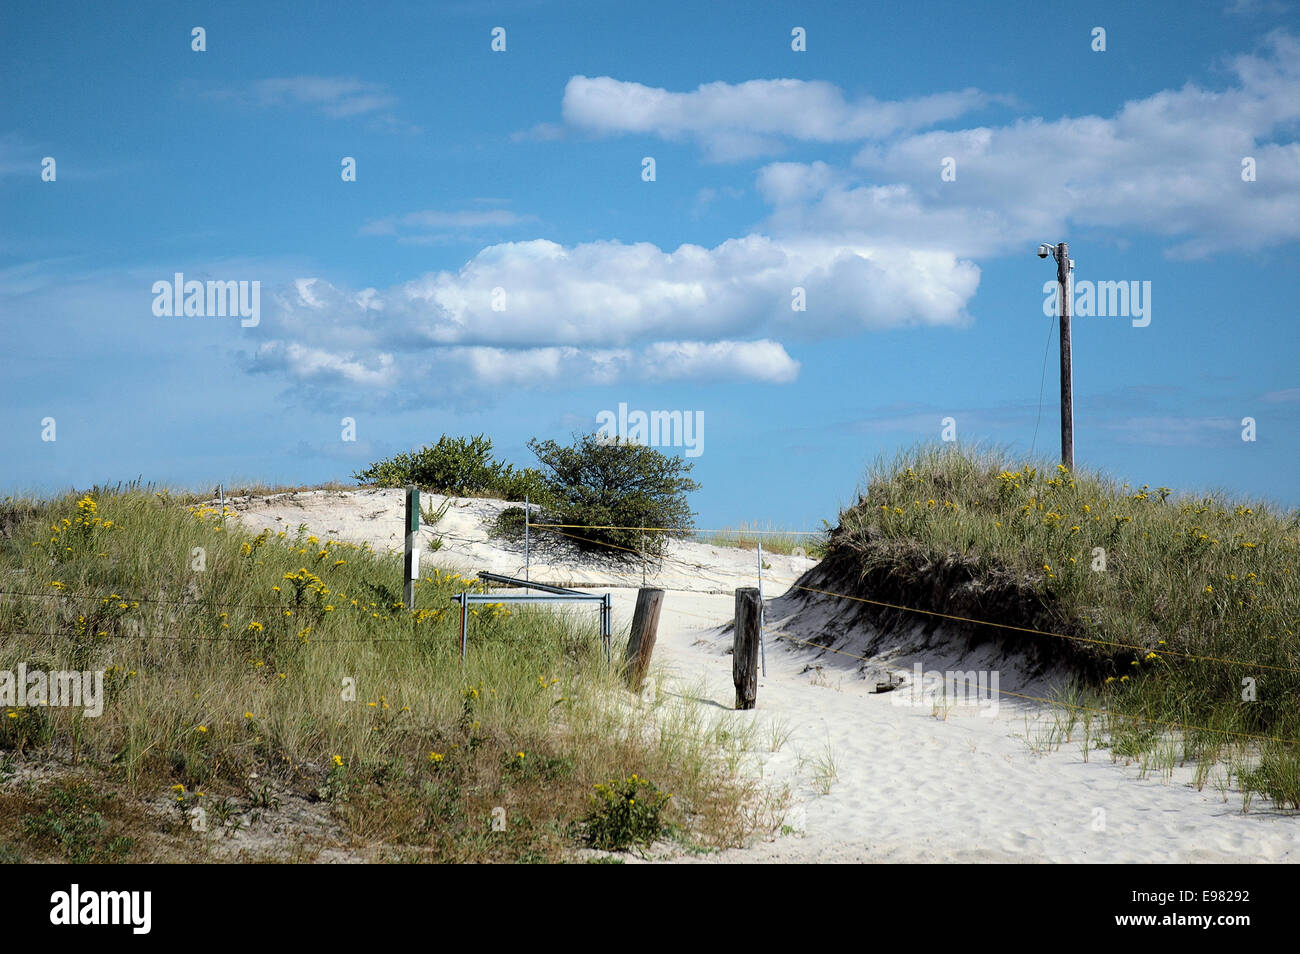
{"x":912,"y":786}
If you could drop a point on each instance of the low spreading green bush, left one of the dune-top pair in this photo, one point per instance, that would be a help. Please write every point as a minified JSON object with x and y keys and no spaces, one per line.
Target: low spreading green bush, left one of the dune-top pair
{"x":460,"y":466}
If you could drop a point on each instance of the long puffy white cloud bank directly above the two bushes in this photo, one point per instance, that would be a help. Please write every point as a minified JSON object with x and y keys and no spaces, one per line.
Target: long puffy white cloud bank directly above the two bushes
{"x":540,"y":314}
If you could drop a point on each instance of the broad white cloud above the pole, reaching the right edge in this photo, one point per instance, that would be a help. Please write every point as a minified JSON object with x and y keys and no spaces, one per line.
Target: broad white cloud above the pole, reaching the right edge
{"x":1168,"y":164}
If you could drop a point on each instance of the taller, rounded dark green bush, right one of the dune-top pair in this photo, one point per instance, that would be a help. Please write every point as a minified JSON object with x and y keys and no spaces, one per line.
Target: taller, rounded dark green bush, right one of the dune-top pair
{"x":599,"y":484}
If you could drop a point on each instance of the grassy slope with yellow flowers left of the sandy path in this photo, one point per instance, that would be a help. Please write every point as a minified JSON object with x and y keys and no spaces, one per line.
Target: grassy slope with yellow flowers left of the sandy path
{"x":289,"y":660}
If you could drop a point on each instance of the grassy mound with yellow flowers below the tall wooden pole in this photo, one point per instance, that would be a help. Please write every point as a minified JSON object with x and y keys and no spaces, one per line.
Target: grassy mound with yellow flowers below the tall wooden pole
{"x":1186,"y":608}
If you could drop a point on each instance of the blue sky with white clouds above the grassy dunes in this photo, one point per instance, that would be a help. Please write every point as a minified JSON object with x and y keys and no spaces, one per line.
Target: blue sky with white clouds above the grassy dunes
{"x":523,"y":171}
